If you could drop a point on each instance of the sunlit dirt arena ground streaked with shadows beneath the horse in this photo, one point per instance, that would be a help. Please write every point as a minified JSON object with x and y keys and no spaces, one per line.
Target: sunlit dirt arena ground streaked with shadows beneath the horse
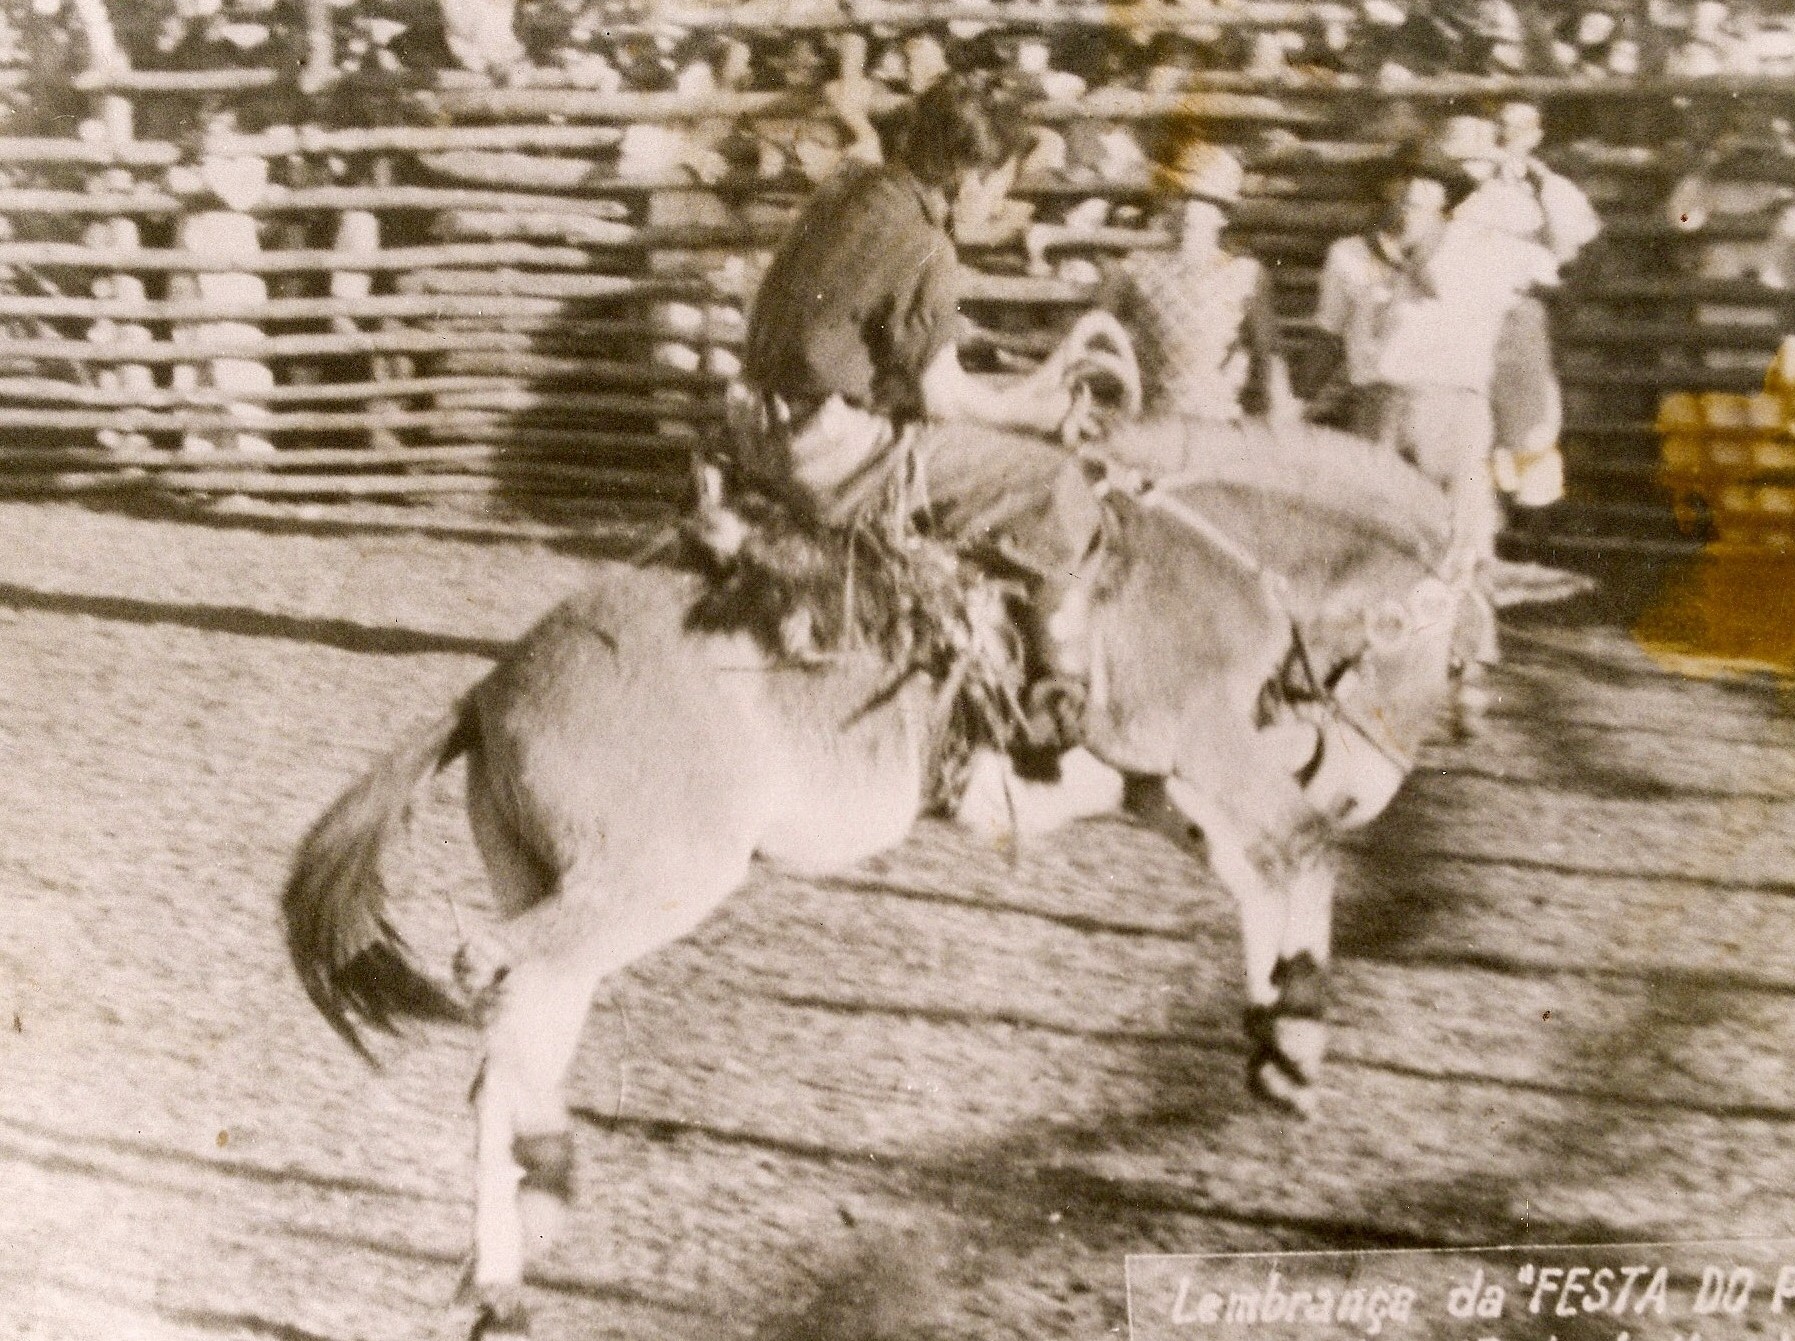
{"x":940,"y":1098}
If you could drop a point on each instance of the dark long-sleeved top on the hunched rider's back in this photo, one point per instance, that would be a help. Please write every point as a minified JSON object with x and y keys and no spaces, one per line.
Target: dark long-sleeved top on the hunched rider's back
{"x":859,"y":301}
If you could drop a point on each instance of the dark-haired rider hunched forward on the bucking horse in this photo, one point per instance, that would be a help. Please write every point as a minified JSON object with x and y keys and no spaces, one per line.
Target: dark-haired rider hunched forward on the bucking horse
{"x":855,"y":405}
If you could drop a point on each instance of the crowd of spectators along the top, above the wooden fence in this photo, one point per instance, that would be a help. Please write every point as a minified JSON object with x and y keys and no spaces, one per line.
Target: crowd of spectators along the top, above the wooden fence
{"x":617,"y":46}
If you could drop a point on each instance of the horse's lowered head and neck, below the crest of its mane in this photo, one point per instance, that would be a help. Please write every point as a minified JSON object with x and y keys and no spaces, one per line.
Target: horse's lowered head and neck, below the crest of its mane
{"x":1204,"y":654}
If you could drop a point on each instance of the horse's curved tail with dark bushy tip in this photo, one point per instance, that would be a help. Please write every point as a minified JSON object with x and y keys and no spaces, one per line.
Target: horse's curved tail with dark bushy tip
{"x":351,"y":960}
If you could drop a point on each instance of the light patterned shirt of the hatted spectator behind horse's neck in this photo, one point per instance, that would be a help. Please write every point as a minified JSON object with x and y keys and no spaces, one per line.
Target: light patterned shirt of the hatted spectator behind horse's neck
{"x":1191,"y":324}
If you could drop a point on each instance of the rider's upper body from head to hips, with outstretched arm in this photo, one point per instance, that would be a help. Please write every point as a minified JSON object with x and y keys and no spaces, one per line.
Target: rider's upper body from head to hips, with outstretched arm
{"x":855,"y":328}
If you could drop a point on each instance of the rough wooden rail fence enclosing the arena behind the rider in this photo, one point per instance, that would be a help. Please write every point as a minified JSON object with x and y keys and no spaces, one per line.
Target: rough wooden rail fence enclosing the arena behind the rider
{"x":532,"y":294}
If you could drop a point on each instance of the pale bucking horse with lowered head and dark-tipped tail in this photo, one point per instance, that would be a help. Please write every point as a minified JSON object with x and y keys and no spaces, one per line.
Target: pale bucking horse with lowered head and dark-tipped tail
{"x":1266,"y":622}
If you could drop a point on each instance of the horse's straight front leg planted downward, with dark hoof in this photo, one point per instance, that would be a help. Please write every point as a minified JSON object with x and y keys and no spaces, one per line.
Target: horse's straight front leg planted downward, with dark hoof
{"x":1284,"y":890}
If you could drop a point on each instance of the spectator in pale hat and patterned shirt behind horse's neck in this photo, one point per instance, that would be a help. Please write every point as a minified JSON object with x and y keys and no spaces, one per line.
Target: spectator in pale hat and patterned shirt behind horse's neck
{"x":1202,"y":317}
